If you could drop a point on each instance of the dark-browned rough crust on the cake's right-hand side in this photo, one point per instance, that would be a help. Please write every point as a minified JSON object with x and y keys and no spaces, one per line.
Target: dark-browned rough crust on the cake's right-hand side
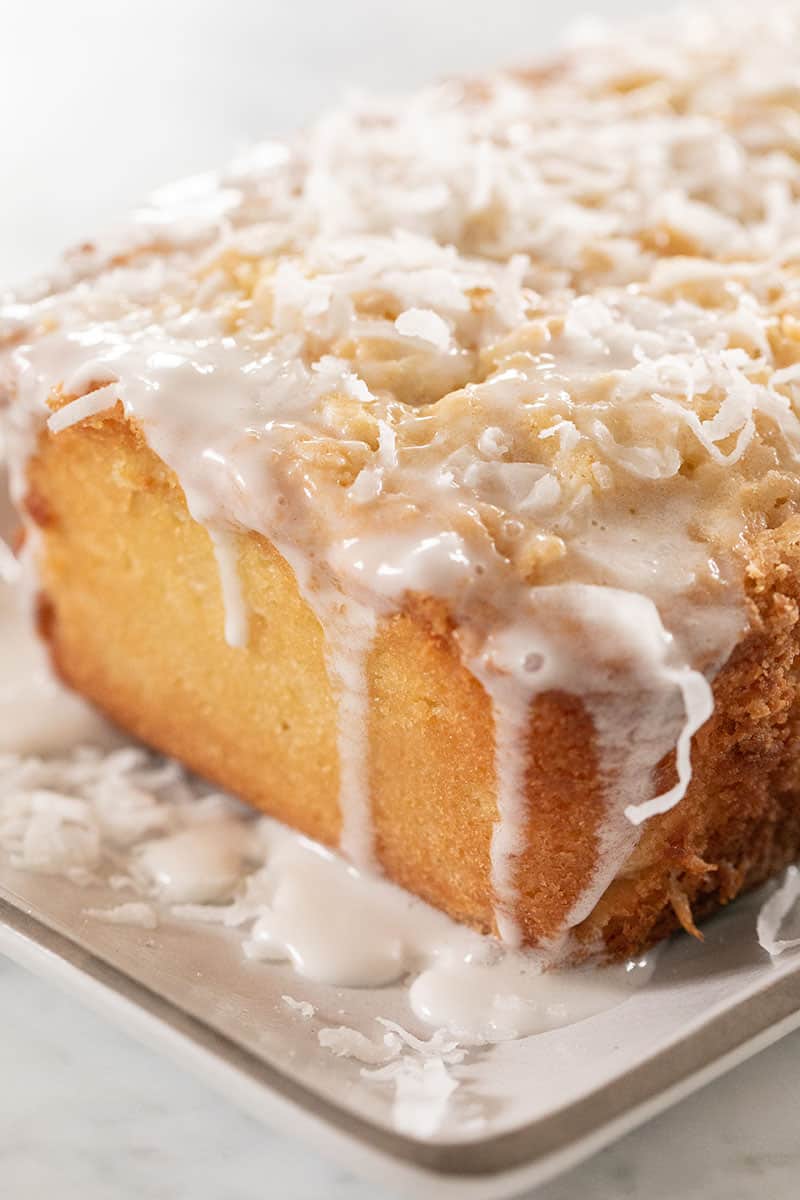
{"x":739,"y":823}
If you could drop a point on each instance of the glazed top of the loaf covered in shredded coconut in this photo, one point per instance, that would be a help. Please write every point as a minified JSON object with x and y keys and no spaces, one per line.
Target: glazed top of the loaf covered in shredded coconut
{"x":539,"y":331}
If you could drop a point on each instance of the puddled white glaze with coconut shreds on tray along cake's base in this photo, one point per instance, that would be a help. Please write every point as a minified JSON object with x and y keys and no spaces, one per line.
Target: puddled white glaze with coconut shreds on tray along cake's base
{"x":121,"y":819}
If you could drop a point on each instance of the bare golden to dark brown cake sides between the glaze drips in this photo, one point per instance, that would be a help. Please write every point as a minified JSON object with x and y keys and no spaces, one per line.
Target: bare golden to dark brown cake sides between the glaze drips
{"x":134,"y":616}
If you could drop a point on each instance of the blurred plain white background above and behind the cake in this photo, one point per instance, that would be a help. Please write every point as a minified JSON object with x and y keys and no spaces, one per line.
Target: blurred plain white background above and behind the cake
{"x":100,"y":101}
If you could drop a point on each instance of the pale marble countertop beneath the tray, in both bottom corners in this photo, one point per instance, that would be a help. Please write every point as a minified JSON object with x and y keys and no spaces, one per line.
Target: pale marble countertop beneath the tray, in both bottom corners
{"x":88,"y":1114}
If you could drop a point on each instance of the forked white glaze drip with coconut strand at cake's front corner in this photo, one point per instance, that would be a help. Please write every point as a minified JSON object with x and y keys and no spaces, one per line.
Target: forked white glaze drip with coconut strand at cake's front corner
{"x":634,"y":712}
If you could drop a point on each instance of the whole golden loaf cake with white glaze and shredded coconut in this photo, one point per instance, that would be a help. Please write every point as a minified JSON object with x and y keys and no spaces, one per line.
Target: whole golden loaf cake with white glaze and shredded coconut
{"x":431,"y":482}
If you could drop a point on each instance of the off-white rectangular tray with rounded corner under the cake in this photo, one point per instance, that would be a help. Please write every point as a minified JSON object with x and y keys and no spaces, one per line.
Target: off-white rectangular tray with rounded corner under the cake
{"x":522,"y":1111}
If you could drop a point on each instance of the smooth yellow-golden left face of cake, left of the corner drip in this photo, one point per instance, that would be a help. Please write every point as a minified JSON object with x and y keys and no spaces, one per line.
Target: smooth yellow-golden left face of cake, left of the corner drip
{"x":134,"y":615}
